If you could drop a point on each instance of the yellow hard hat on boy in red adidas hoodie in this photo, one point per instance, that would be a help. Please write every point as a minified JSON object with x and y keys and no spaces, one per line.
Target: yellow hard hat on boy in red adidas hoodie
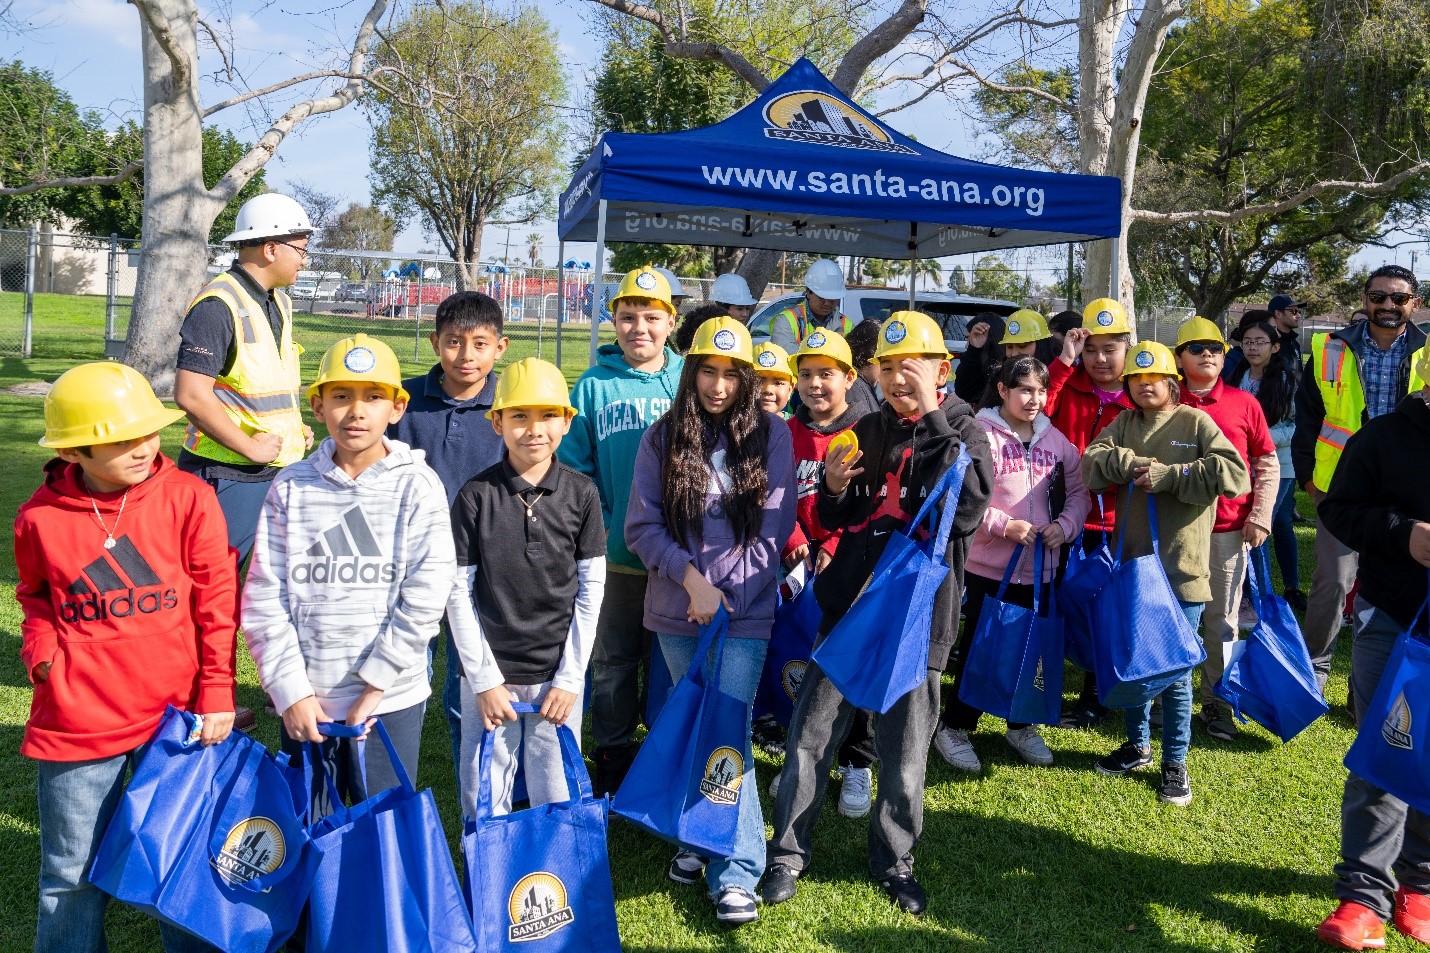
{"x":102,"y":403}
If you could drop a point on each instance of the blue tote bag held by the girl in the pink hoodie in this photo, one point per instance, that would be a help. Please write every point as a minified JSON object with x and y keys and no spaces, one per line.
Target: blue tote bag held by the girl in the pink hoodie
{"x":1015,"y":666}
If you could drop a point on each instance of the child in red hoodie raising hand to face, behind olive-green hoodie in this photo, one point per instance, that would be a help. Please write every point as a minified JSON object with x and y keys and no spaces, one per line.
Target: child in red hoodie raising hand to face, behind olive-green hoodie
{"x":1085,"y":397}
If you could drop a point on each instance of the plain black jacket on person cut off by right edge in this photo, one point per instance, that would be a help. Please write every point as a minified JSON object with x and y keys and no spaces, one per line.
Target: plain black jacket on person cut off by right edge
{"x":1376,"y":496}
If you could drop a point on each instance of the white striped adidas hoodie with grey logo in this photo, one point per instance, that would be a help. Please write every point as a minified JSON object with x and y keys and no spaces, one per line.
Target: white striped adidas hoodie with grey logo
{"x":350,"y":582}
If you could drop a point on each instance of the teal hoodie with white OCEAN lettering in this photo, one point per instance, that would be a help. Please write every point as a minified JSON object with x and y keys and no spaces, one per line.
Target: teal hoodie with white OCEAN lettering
{"x":617,"y":404}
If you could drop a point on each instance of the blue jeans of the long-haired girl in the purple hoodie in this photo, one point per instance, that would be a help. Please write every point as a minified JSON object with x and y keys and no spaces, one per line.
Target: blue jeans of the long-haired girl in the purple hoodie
{"x":739,"y":678}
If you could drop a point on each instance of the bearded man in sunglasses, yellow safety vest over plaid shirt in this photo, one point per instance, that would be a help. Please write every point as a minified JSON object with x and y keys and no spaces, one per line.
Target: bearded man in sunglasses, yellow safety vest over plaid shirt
{"x":1353,"y":376}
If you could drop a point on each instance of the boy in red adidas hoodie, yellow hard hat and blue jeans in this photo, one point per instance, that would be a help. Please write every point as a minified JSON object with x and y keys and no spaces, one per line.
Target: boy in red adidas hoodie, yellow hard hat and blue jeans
{"x":129,"y":592}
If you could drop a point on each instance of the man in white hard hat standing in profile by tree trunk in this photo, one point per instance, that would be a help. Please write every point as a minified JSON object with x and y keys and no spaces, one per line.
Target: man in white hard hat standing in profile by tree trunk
{"x":238,"y":376}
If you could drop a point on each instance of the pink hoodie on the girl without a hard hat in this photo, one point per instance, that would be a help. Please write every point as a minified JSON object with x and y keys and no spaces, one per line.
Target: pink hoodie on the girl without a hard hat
{"x":1020,"y":492}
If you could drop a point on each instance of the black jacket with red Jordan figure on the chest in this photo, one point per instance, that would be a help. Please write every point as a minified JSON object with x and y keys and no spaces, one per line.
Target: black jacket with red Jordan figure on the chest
{"x":904,"y":459}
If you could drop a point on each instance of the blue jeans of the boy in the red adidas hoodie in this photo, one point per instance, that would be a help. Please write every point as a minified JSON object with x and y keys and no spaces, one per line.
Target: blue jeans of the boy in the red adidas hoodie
{"x":78,"y":799}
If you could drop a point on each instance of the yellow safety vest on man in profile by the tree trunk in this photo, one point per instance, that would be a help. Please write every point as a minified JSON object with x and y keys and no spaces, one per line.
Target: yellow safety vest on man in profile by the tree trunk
{"x":261,"y":391}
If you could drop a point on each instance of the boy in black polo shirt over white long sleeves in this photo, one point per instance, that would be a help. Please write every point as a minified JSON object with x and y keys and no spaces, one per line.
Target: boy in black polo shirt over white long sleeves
{"x":531,"y":543}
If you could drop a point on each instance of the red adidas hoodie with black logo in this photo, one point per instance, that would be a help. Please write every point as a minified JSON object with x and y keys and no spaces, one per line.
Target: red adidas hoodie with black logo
{"x":129,"y":630}
